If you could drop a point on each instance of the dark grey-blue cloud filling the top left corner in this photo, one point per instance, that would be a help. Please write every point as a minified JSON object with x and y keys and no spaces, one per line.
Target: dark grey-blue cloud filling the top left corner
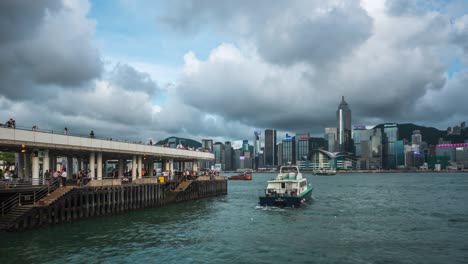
{"x":53,"y":47}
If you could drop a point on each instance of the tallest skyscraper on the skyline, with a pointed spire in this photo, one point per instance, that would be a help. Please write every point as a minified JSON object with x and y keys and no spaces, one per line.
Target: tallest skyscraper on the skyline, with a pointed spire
{"x":343,"y":117}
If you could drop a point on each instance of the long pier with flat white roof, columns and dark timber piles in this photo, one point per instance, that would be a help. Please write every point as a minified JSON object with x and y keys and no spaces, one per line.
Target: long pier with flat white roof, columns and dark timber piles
{"x":37,"y":201}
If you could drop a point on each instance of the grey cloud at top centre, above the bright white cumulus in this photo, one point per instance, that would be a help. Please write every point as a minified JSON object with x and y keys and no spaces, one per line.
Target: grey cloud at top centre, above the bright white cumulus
{"x":283,"y":32}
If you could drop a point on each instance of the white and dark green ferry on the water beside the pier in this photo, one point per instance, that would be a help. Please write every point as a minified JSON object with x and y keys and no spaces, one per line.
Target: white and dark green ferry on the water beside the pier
{"x":289,"y":189}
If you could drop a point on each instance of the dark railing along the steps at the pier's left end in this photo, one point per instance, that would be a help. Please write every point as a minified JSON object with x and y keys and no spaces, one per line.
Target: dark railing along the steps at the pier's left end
{"x":29,"y":197}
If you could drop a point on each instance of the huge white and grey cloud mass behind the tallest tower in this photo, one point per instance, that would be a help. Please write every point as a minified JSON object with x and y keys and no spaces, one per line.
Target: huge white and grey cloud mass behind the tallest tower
{"x":393,"y":62}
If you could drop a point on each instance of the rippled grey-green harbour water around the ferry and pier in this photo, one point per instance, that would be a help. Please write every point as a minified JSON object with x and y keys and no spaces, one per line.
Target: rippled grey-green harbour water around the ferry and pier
{"x":354,"y":218}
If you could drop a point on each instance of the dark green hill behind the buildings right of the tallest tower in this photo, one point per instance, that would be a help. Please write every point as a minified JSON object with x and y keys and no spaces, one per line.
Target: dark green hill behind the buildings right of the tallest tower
{"x":430,"y":135}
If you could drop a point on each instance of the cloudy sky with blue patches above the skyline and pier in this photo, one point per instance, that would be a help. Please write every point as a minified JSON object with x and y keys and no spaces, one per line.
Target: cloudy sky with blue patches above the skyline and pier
{"x":139,"y":70}
